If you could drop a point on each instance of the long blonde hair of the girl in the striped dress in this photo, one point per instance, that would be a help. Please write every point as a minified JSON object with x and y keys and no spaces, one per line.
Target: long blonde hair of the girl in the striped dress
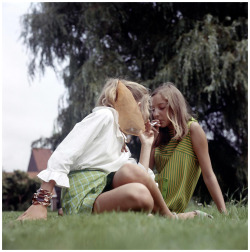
{"x":178,"y":111}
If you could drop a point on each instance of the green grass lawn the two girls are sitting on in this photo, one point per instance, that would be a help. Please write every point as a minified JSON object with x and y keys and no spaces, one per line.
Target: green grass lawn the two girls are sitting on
{"x":128,"y":231}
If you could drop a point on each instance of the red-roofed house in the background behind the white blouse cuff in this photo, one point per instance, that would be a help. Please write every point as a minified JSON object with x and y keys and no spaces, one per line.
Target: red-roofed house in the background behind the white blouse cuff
{"x":38,"y":162}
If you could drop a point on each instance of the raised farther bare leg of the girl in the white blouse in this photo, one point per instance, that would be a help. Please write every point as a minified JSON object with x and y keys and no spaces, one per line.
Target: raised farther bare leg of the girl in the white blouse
{"x":131,"y":173}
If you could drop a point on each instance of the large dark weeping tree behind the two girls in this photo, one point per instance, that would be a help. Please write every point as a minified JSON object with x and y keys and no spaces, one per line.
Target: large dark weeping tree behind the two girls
{"x":204,"y":52}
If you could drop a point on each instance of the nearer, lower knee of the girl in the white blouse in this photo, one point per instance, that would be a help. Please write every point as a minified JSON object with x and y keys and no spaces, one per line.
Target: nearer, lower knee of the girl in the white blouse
{"x":142,"y":197}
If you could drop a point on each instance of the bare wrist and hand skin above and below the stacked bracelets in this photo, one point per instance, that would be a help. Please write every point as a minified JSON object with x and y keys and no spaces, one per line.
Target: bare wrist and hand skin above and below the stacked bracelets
{"x":38,"y":211}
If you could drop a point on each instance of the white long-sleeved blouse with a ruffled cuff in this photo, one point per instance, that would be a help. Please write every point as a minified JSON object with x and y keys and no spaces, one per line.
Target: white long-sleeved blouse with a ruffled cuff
{"x":94,"y":143}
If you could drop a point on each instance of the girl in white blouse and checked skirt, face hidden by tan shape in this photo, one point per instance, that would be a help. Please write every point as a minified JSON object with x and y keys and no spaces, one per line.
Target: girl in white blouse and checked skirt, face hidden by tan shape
{"x":93,"y":165}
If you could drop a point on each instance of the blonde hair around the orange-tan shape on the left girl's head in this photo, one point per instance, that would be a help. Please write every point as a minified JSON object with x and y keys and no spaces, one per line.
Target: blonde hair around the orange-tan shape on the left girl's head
{"x":139,"y":92}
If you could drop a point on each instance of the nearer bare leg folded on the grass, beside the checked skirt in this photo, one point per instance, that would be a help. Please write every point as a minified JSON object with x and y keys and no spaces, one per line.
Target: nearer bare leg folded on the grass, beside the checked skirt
{"x":133,"y":196}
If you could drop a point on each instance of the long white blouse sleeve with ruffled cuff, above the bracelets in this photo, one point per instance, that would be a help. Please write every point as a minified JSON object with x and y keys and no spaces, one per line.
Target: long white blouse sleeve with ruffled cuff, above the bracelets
{"x":73,"y":146}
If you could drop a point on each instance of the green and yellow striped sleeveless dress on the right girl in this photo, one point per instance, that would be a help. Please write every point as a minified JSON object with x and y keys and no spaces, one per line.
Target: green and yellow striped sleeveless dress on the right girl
{"x":179,"y":171}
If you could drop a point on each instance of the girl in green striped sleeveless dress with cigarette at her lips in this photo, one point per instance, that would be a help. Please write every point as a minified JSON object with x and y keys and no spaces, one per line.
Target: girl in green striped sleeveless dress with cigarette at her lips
{"x":180,"y":151}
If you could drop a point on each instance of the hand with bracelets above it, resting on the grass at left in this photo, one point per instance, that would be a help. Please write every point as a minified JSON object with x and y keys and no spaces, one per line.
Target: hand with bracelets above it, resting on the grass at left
{"x":34,"y":212}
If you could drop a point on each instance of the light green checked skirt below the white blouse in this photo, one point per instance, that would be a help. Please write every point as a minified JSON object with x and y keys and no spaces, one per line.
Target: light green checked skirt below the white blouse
{"x":85,"y":187}
